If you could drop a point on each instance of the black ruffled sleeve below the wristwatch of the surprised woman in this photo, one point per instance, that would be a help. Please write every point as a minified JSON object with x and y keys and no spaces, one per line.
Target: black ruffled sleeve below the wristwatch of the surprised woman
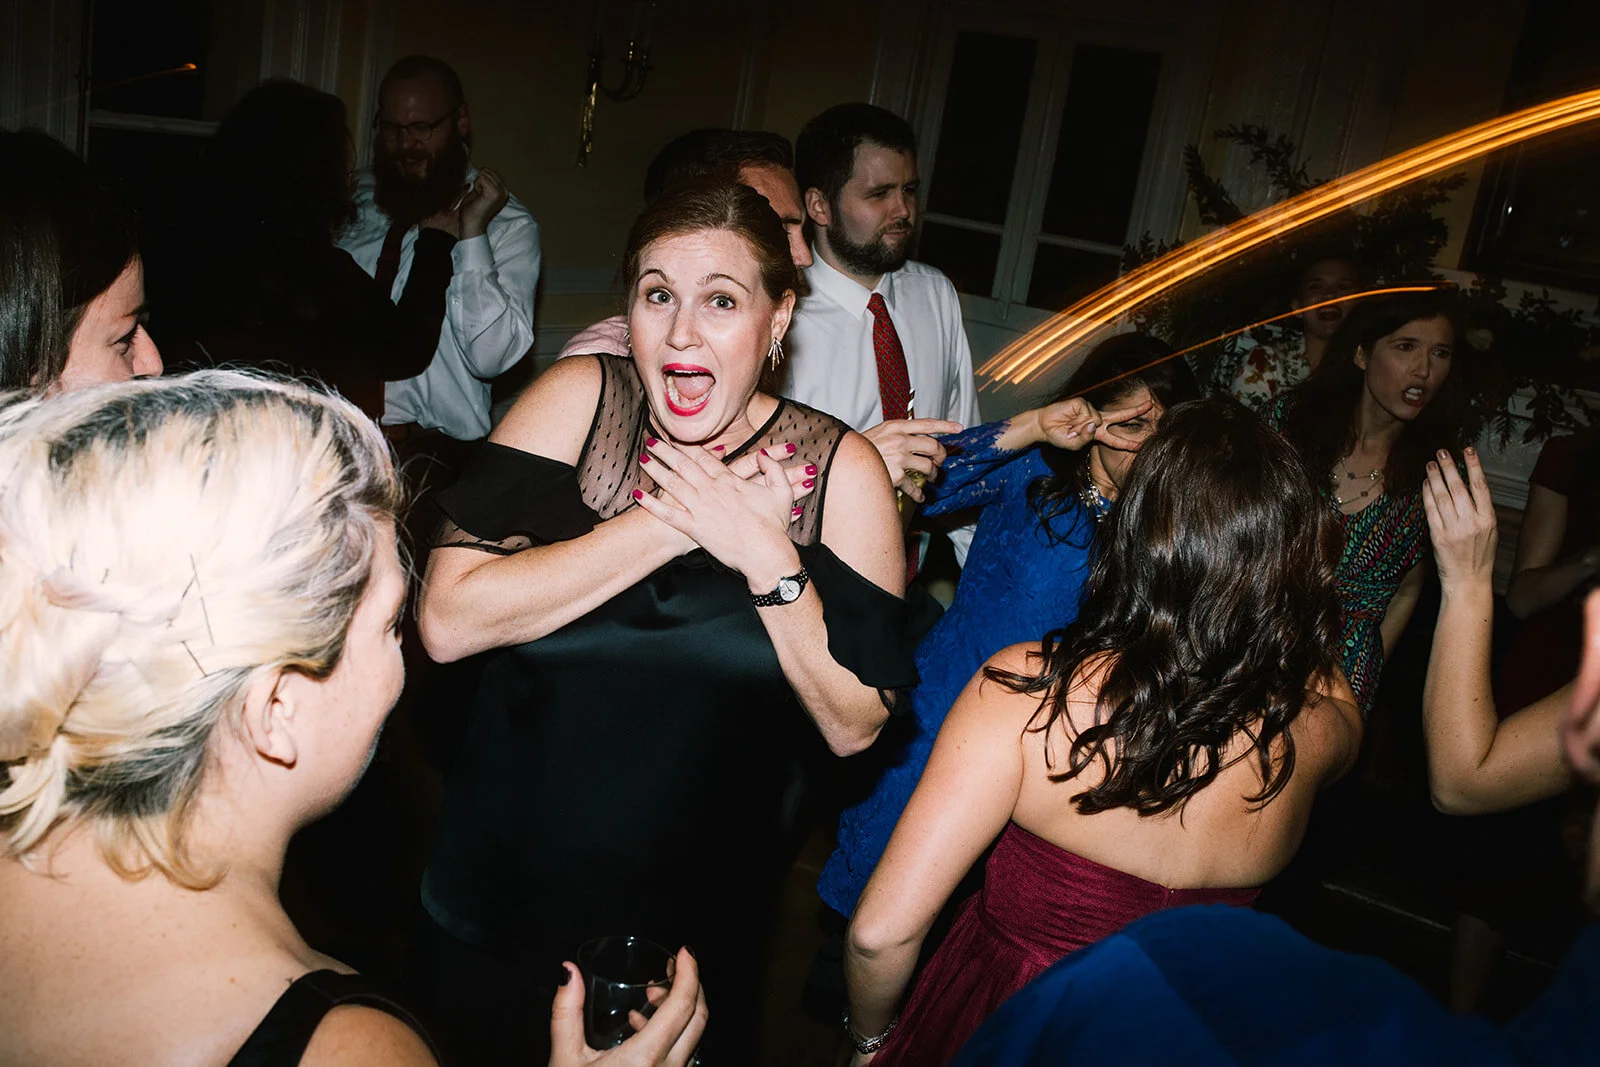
{"x":871,"y":633}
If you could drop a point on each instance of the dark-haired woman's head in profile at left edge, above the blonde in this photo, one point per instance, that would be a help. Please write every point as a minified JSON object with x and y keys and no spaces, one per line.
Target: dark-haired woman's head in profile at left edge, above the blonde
{"x":71,"y":278}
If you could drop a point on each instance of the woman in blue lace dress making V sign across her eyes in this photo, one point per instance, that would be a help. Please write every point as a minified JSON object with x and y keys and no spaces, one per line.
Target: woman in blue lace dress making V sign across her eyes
{"x":1042,"y":497}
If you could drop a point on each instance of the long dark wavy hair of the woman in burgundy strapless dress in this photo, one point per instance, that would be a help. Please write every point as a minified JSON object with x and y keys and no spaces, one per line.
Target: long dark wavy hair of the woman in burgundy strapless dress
{"x":1212,"y":605}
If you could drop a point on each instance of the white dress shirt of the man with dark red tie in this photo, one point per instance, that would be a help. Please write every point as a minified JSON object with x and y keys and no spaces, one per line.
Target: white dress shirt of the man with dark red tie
{"x":833,"y":366}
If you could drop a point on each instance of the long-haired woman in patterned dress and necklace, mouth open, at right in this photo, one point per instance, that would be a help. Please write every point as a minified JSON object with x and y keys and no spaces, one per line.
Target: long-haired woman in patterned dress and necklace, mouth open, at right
{"x":1390,"y":394}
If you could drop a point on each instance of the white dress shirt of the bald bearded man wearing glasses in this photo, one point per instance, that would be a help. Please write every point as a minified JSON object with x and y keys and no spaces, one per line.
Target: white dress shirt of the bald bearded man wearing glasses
{"x":489,"y":314}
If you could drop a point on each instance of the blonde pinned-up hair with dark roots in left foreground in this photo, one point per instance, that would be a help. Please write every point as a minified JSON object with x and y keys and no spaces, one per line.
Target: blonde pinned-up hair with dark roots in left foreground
{"x":164,"y":545}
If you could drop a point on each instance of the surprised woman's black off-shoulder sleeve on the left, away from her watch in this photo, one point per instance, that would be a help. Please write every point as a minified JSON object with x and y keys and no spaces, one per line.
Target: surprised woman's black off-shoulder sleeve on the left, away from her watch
{"x":508,"y":494}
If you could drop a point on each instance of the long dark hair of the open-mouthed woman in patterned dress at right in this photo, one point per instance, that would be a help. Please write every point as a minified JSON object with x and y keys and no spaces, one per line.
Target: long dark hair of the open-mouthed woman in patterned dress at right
{"x":1321,"y":417}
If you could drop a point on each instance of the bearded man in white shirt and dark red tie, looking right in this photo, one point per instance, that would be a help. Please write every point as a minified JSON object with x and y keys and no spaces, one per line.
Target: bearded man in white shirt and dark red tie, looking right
{"x":879,"y":342}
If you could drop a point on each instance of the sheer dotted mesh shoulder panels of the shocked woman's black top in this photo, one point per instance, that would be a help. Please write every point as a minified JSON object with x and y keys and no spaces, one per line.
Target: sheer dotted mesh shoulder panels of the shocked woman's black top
{"x":609,"y":470}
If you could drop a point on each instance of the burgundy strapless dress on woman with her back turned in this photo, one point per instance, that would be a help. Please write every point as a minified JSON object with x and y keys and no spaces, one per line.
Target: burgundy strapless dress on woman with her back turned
{"x":1039,"y":903}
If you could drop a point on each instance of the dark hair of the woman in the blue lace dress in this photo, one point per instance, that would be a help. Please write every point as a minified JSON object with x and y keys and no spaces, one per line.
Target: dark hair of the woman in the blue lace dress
{"x":1126,"y":359}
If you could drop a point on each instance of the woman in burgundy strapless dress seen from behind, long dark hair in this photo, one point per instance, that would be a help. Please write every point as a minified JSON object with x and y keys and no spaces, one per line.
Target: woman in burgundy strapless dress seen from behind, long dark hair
{"x":1162,"y":751}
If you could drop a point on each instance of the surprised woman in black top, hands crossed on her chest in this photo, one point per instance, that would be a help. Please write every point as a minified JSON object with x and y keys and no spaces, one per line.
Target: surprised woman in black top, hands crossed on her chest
{"x":679,"y":581}
